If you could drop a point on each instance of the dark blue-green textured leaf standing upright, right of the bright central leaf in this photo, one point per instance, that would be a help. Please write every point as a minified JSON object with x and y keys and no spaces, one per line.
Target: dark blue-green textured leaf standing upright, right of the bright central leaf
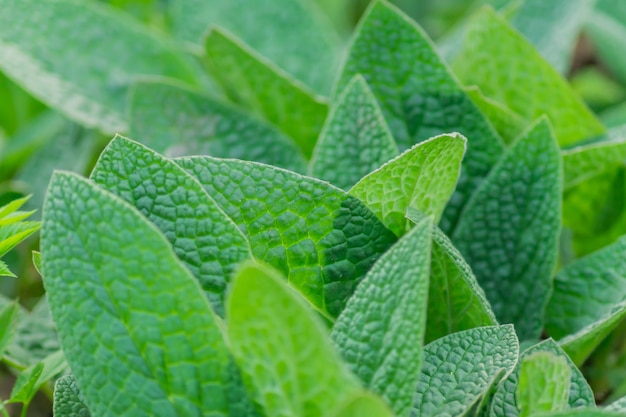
{"x":509,"y":230}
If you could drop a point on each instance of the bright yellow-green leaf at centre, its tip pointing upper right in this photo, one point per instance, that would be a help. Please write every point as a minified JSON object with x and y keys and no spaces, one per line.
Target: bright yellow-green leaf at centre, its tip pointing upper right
{"x":422,"y":178}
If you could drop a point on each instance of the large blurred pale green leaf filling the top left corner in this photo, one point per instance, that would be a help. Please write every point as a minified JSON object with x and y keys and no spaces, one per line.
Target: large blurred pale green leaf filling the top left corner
{"x":55,"y":61}
